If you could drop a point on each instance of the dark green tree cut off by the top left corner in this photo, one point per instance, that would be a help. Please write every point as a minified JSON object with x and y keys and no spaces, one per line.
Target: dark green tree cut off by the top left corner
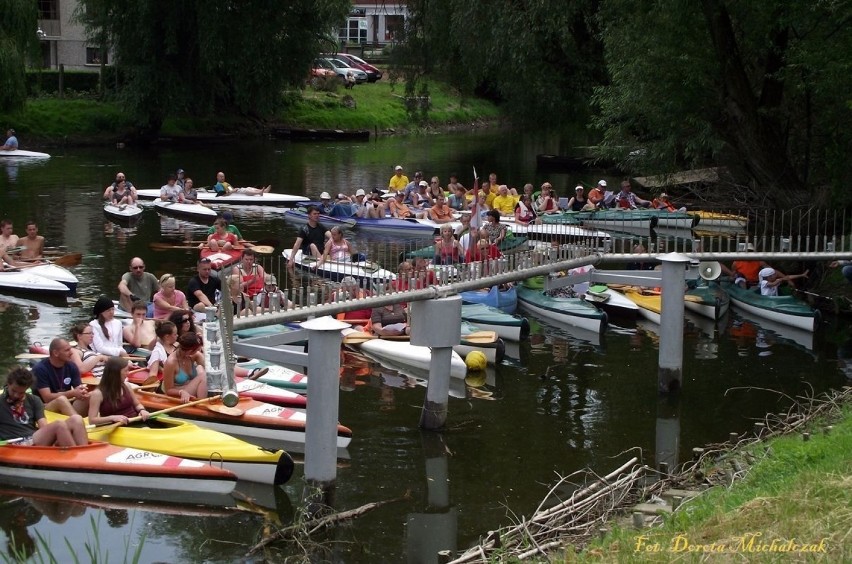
{"x":18,"y":25}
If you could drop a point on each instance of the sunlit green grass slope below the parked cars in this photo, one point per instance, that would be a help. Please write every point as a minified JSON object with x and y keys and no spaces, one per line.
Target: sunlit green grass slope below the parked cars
{"x":381,"y":105}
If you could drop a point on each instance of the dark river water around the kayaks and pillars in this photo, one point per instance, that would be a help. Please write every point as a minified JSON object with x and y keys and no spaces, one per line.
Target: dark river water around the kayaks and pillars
{"x":560,"y":402}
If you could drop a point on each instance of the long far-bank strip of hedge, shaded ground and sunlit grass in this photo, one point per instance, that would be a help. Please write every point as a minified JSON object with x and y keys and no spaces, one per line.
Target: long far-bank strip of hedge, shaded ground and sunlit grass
{"x":380,"y":107}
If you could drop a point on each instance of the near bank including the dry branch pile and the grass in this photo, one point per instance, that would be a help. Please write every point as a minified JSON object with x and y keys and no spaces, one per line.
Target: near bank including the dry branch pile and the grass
{"x":782,"y":491}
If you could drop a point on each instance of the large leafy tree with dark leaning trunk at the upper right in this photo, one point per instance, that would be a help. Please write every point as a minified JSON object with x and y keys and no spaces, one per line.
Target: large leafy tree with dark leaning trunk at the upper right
{"x":762,"y":87}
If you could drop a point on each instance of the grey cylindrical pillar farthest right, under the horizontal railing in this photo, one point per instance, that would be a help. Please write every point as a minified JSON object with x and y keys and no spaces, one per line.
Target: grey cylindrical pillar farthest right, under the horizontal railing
{"x":670,"y":374}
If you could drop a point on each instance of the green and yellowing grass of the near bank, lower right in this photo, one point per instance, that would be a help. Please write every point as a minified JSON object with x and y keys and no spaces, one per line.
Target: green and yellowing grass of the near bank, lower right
{"x":795,"y":504}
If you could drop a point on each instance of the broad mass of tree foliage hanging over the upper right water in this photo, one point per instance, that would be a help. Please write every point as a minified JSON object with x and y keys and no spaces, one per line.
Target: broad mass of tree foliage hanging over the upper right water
{"x":761,"y":87}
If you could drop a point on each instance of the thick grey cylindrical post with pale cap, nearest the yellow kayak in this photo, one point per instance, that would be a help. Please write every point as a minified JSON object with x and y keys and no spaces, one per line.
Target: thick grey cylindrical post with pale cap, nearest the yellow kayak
{"x":324,"y":340}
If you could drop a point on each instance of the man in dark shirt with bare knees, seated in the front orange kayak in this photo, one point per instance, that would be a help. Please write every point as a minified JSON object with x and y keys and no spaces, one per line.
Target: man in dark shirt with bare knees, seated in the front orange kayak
{"x":22,"y":416}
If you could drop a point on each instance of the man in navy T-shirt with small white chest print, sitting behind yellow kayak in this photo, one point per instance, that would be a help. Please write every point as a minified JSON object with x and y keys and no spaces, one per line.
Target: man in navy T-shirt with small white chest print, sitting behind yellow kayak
{"x":58,"y":381}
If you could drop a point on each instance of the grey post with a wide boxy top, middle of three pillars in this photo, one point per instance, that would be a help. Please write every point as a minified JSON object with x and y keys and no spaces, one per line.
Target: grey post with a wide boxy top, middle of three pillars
{"x":437,"y":324}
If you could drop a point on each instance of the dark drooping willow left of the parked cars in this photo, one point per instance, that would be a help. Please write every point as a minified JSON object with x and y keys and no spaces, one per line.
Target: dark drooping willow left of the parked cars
{"x":201,"y":56}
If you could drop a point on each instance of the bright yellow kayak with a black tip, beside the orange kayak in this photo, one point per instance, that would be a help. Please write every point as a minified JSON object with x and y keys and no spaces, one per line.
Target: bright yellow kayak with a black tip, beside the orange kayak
{"x":177,"y":437}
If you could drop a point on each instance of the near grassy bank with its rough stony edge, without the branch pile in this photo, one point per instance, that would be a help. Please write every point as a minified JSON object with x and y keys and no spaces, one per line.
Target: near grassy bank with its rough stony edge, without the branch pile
{"x":743,"y":489}
